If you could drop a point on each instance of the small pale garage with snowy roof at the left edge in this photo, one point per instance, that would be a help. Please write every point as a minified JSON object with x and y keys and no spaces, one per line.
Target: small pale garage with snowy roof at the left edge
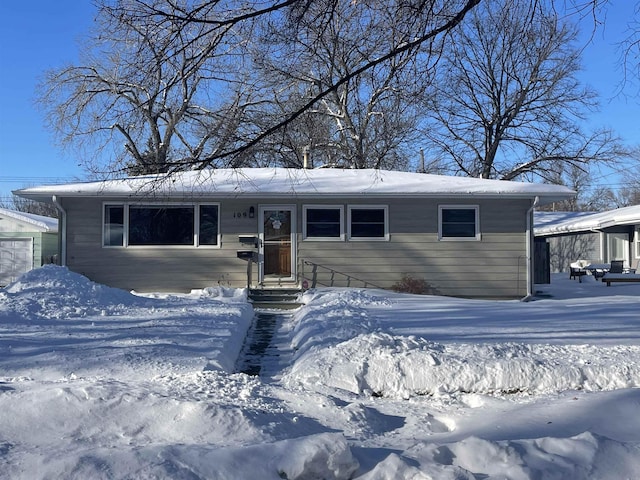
{"x":27,"y":241}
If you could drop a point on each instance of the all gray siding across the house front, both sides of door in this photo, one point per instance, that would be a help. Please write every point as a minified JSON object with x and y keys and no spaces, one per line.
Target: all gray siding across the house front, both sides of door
{"x":492,"y":267}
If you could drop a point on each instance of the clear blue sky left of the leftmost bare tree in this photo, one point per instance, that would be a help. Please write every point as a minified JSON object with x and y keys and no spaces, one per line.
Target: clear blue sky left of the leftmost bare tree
{"x":35,"y":36}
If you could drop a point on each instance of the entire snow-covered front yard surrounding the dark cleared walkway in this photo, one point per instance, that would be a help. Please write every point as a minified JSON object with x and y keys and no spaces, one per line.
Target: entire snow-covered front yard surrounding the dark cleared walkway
{"x":101,"y":383}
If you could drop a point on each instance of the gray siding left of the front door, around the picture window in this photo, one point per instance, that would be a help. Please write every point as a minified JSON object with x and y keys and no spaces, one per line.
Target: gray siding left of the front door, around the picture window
{"x":177,"y":269}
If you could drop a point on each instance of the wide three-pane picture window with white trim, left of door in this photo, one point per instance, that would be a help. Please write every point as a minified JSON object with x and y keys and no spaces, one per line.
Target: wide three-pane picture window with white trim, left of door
{"x":137,"y":225}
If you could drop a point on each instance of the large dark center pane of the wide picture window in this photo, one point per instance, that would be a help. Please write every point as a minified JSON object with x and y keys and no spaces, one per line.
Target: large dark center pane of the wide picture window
{"x":161,"y":225}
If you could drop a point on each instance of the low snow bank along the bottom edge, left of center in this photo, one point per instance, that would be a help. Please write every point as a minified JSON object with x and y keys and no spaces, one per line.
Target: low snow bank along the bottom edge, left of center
{"x":324,"y":456}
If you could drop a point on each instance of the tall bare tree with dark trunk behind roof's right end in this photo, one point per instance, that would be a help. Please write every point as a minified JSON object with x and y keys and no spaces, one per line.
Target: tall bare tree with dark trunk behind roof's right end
{"x":507,"y":103}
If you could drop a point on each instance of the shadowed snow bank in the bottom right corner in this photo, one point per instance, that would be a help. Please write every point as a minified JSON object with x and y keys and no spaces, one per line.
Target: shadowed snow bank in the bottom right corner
{"x":581,"y":457}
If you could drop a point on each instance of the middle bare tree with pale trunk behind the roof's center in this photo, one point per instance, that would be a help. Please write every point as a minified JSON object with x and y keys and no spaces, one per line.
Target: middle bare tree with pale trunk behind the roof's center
{"x":367,"y":121}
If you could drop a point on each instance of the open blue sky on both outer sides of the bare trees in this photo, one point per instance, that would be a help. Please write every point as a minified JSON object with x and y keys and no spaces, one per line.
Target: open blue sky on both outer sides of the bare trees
{"x":41,"y":34}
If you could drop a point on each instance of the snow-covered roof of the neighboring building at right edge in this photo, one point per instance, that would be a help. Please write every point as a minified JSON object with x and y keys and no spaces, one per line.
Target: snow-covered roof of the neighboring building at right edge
{"x":595,"y":221}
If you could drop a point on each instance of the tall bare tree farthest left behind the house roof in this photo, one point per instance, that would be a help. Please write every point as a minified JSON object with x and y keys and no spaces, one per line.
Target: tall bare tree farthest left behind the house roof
{"x":145,"y":89}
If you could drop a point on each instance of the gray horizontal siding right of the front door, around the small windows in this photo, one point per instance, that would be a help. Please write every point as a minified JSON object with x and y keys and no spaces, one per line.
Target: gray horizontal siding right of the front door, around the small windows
{"x":492,"y":267}
